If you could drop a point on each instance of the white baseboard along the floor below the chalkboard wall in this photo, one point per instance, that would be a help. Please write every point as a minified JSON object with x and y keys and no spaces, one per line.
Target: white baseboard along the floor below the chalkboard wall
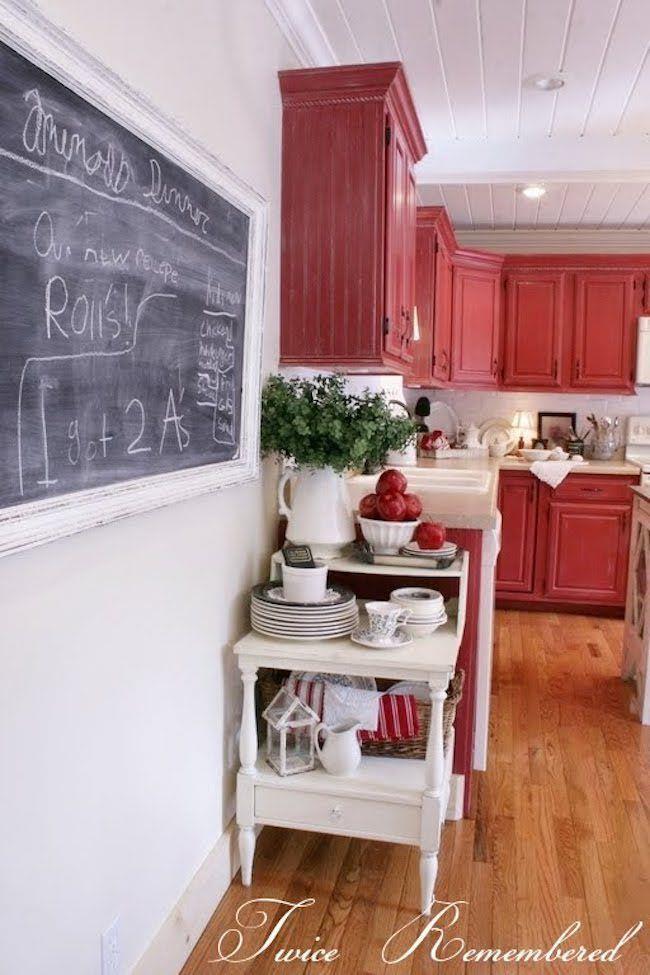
{"x":180,"y":932}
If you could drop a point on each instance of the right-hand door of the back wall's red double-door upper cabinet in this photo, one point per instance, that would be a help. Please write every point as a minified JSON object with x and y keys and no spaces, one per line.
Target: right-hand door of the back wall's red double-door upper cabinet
{"x":606,"y":307}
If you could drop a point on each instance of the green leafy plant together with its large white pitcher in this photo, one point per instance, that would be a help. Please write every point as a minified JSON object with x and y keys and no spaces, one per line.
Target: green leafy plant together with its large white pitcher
{"x":323,"y":431}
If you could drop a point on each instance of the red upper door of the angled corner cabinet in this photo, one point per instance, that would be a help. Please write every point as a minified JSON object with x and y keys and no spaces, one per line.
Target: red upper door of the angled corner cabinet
{"x":475,"y":327}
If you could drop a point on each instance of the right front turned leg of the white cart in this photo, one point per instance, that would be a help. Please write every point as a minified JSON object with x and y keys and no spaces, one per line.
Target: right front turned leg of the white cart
{"x":432,"y":811}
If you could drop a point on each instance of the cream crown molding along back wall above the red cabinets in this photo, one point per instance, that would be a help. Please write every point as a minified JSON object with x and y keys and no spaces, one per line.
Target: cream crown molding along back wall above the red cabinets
{"x":560,"y":241}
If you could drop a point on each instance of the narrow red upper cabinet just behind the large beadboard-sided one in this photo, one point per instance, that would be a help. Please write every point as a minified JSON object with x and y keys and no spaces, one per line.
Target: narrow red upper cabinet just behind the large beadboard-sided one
{"x":433,"y":283}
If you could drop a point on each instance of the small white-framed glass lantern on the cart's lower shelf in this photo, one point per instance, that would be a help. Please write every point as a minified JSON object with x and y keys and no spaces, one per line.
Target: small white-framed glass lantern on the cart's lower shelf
{"x":289,"y":734}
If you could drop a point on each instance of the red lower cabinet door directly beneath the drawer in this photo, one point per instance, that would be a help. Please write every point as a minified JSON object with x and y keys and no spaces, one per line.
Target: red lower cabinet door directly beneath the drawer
{"x":586,"y":558}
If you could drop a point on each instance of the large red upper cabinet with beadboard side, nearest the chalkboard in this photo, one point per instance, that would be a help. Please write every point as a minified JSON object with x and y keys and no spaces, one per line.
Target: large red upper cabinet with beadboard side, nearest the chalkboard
{"x":350,"y":138}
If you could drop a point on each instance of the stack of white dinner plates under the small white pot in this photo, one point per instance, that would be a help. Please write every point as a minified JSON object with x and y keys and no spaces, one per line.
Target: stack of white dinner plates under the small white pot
{"x":272,"y":615}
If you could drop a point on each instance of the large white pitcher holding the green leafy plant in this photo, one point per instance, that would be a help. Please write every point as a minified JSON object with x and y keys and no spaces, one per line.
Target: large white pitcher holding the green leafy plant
{"x":320,"y":514}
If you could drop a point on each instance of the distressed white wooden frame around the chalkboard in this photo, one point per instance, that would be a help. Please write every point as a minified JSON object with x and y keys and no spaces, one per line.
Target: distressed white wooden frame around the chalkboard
{"x":34,"y":523}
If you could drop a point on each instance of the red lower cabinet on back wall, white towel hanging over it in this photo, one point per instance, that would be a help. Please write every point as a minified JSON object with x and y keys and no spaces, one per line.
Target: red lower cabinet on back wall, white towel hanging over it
{"x":564,"y":547}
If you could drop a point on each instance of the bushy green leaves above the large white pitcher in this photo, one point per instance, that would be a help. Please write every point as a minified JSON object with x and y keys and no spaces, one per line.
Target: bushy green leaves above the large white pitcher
{"x":317,"y":424}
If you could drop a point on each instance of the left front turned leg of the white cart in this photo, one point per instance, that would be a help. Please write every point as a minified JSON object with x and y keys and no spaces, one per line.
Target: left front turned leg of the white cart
{"x":248,"y":759}
